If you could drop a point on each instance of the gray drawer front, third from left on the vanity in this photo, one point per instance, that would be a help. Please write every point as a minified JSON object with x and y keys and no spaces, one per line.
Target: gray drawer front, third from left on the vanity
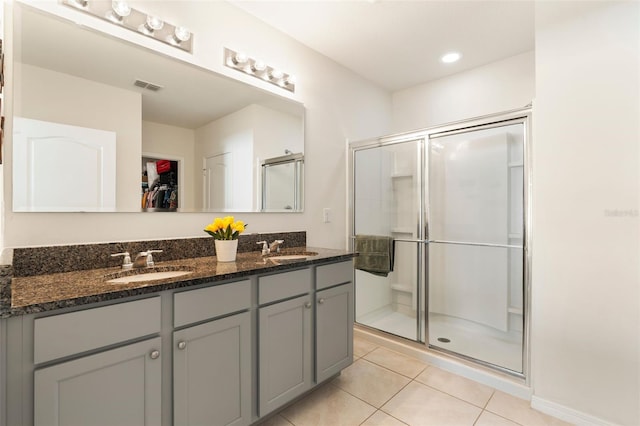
{"x":281,"y":286}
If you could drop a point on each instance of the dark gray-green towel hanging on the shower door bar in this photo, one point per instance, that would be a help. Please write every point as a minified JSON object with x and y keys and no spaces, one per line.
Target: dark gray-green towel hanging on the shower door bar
{"x":375,"y":254}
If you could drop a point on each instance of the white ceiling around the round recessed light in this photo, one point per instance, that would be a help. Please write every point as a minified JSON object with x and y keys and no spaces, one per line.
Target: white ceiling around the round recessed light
{"x":397,"y":44}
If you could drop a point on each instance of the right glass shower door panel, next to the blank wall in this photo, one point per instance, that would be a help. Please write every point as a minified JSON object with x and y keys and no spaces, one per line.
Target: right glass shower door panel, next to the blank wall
{"x":475,"y":255}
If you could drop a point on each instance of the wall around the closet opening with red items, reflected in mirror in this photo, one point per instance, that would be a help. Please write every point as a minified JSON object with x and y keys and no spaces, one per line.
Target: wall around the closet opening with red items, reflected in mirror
{"x":176,"y":142}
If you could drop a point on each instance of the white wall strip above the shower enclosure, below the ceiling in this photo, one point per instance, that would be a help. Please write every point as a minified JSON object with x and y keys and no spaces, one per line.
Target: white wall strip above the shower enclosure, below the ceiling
{"x":499,"y":86}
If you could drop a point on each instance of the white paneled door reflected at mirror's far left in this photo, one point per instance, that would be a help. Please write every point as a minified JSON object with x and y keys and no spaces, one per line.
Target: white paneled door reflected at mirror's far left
{"x":58,"y":167}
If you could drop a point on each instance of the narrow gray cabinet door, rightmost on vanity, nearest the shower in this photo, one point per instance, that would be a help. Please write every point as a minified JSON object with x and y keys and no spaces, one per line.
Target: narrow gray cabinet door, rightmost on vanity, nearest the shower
{"x":334,"y":330}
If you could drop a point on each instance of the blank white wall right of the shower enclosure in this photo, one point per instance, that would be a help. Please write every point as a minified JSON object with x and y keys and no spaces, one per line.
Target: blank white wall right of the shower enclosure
{"x":586,"y":221}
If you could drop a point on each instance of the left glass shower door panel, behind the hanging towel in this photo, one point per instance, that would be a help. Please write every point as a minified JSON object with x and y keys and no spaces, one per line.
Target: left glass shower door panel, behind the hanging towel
{"x":387,"y":197}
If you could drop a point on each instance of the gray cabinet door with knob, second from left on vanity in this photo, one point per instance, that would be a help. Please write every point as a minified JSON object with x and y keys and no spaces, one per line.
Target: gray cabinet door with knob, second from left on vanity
{"x":212,"y":373}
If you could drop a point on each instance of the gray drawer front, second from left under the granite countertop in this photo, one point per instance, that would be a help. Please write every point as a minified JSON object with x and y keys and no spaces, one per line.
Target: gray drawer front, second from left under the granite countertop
{"x":199,"y":305}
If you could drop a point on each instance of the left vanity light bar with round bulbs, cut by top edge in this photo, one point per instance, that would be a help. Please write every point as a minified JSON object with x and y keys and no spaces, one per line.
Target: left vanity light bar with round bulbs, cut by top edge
{"x":121,"y":14}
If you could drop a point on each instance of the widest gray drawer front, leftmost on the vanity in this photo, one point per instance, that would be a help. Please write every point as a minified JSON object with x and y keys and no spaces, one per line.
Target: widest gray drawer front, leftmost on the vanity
{"x":68,"y":334}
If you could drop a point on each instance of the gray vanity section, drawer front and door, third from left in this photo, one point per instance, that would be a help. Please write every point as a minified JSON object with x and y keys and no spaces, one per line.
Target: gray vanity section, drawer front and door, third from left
{"x":284,"y":338}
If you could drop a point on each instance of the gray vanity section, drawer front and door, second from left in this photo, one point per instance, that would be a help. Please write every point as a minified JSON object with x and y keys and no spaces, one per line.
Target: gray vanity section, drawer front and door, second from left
{"x":212,"y":360}
